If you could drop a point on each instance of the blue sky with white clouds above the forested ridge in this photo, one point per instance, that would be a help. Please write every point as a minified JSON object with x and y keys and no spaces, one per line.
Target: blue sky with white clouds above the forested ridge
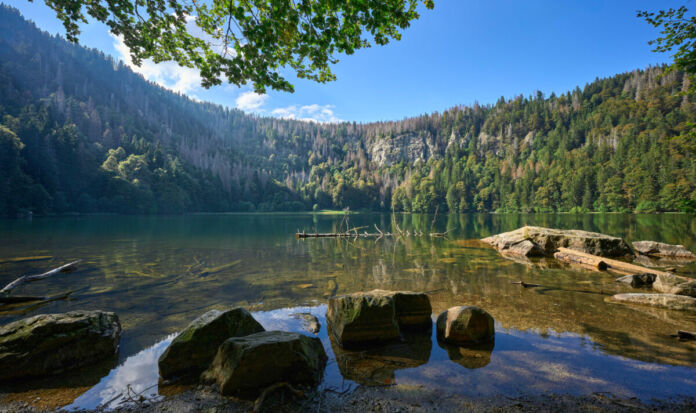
{"x":461,"y":52}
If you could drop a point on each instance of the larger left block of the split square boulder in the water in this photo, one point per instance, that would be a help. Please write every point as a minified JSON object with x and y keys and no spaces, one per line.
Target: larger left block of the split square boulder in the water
{"x":362,"y":318}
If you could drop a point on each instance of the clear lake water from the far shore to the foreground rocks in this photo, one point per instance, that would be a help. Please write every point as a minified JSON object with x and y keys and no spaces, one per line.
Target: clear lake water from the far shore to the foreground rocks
{"x":159,"y":273}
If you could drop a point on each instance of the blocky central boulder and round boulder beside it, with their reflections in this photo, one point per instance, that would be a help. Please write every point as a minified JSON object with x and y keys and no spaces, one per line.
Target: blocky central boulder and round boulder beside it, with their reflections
{"x":377,"y":332}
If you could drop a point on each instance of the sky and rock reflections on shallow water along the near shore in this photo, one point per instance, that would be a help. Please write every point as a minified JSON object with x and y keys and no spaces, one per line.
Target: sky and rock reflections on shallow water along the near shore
{"x":516,"y":362}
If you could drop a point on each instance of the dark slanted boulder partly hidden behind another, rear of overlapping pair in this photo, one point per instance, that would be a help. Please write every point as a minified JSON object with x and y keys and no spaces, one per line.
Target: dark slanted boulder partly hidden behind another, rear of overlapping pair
{"x":194,"y":348}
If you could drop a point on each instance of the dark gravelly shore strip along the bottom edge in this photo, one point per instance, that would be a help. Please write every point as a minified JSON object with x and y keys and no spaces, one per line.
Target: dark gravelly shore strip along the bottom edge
{"x":397,"y":398}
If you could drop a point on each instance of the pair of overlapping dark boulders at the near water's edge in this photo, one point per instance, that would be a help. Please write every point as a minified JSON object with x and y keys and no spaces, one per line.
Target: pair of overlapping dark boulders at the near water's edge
{"x":232,"y":349}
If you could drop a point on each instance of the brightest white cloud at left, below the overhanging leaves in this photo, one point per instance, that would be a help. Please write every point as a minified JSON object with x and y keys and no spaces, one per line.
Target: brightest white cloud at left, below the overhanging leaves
{"x":166,"y":74}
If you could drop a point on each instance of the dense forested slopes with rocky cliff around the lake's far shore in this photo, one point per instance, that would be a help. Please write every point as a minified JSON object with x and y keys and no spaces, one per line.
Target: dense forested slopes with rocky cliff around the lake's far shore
{"x":80,"y":132}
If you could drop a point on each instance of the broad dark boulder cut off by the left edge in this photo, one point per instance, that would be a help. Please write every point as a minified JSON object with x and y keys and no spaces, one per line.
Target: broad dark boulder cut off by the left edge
{"x":48,"y":344}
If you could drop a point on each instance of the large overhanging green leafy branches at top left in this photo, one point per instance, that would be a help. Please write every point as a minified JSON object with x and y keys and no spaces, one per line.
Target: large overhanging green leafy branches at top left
{"x":245,"y":41}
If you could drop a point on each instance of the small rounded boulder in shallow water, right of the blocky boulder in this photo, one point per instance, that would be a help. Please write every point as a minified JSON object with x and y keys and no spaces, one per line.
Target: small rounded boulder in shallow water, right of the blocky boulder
{"x":465,"y":325}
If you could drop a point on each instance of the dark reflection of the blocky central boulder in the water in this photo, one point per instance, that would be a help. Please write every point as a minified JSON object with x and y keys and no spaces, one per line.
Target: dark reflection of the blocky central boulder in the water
{"x":376,"y":366}
